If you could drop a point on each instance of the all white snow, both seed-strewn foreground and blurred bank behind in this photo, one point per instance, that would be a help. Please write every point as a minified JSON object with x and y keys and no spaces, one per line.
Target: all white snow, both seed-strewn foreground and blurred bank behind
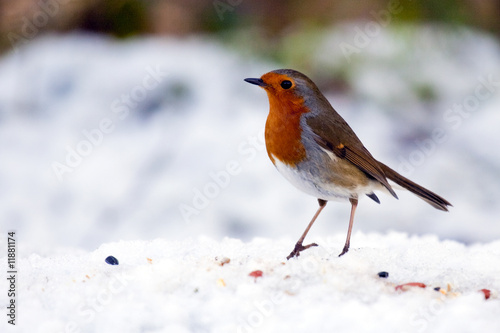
{"x":141,"y":149}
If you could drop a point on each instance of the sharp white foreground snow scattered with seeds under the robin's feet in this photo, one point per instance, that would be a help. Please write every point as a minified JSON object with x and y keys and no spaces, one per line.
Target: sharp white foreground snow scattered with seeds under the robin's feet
{"x":182,"y":286}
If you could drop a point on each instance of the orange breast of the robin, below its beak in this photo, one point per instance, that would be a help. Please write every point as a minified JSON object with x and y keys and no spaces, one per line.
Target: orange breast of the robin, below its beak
{"x":283,"y":132}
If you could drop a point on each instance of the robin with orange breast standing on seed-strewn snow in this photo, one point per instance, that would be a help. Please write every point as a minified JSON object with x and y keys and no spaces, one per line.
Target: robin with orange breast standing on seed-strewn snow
{"x":313,"y":147}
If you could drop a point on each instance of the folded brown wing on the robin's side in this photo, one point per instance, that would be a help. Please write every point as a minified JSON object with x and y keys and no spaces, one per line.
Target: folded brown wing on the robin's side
{"x":334,"y":134}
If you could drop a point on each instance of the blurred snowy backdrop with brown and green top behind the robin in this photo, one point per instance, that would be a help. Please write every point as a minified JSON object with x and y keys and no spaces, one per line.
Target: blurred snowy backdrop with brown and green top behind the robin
{"x":125,"y":120}
